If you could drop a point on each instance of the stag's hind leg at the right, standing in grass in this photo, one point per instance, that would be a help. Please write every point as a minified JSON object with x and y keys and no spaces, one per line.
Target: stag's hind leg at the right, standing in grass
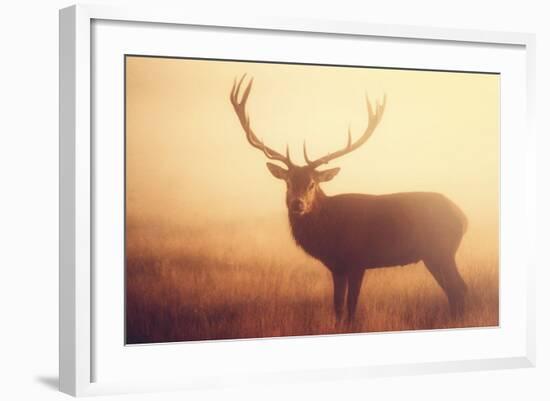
{"x":449,"y":279}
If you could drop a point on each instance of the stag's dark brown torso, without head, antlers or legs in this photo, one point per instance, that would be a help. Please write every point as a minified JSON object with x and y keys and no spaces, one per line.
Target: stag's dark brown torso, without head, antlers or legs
{"x":356,"y":230}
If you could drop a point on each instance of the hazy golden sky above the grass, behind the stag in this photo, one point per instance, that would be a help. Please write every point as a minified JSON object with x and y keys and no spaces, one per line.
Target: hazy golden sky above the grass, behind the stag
{"x":187,"y":156}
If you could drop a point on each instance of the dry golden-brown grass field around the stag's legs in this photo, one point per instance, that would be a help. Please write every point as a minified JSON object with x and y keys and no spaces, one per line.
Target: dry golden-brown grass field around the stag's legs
{"x":250,"y":280}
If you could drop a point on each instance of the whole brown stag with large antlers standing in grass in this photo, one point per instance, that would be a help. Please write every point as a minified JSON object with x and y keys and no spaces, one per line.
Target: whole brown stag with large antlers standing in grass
{"x":351,"y":233}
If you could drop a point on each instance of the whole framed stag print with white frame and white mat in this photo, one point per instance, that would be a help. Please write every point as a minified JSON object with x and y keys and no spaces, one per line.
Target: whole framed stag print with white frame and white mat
{"x":317,"y":200}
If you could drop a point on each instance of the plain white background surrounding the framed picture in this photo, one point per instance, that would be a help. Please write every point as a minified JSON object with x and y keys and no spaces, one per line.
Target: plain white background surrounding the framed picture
{"x":28,"y":203}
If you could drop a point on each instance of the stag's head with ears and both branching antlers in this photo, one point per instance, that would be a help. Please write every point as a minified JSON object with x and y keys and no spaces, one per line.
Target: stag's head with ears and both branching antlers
{"x":302,"y":181}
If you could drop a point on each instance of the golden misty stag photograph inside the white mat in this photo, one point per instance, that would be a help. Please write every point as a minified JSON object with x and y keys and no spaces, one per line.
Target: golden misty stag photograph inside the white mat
{"x":271,"y":199}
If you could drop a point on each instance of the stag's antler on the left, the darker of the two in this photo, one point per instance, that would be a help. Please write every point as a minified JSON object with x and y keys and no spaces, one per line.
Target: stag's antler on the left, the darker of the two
{"x":240,"y":109}
